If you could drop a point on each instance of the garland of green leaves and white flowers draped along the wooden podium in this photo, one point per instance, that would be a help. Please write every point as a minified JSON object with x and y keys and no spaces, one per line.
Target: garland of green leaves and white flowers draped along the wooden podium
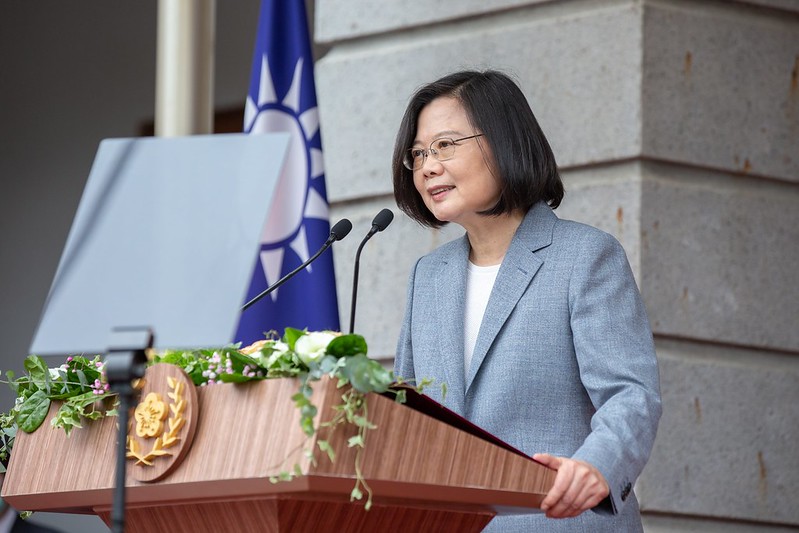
{"x":80,"y":386}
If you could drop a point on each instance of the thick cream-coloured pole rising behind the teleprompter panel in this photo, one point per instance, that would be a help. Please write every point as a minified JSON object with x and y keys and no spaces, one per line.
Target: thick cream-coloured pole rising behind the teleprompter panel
{"x":185,"y":67}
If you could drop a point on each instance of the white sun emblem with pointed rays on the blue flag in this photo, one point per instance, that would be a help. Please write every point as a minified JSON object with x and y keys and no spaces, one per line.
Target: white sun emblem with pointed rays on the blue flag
{"x":295,"y":199}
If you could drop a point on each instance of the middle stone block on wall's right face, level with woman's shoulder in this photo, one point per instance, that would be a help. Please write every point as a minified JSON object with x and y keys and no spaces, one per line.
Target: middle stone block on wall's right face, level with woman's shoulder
{"x":719,"y":256}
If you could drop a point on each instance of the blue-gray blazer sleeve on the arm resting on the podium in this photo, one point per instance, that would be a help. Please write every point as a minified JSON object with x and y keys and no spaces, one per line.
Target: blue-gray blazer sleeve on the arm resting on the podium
{"x":618,"y":367}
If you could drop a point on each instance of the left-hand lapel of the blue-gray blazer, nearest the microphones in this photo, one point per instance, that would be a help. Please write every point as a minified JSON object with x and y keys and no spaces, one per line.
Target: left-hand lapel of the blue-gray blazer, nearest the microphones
{"x":450,"y":301}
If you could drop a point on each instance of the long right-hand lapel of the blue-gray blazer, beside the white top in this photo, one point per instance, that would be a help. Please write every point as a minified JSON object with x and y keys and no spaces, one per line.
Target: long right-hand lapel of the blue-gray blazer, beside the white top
{"x":517,"y":271}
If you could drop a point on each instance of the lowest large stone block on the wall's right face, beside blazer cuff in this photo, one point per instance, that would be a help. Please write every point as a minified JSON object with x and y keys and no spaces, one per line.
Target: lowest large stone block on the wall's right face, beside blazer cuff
{"x":726,"y":446}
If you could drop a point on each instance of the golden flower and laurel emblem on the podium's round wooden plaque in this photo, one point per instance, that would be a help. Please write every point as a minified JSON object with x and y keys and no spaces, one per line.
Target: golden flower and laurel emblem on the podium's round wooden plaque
{"x":149,"y":423}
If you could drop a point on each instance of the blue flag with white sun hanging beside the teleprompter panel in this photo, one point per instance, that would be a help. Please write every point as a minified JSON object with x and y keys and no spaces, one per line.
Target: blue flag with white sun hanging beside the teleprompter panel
{"x":282,"y":98}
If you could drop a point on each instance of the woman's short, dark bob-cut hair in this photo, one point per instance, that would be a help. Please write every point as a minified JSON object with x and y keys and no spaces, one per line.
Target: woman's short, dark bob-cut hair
{"x":496,"y":107}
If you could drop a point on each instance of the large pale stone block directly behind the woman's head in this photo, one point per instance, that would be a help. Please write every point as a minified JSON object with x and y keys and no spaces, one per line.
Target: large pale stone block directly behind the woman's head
{"x":585,"y":90}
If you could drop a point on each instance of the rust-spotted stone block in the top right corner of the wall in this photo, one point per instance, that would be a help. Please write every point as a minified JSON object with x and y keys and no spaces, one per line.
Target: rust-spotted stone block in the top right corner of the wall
{"x":721,"y":87}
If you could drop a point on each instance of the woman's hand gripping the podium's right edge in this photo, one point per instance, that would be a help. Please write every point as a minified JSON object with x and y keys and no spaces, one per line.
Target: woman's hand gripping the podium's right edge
{"x":578,"y":486}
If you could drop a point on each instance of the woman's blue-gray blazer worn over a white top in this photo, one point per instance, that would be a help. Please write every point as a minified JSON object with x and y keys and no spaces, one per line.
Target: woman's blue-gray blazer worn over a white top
{"x":564,"y":361}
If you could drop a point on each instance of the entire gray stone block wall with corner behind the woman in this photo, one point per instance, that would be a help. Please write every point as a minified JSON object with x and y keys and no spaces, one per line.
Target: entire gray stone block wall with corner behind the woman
{"x":676,"y":126}
